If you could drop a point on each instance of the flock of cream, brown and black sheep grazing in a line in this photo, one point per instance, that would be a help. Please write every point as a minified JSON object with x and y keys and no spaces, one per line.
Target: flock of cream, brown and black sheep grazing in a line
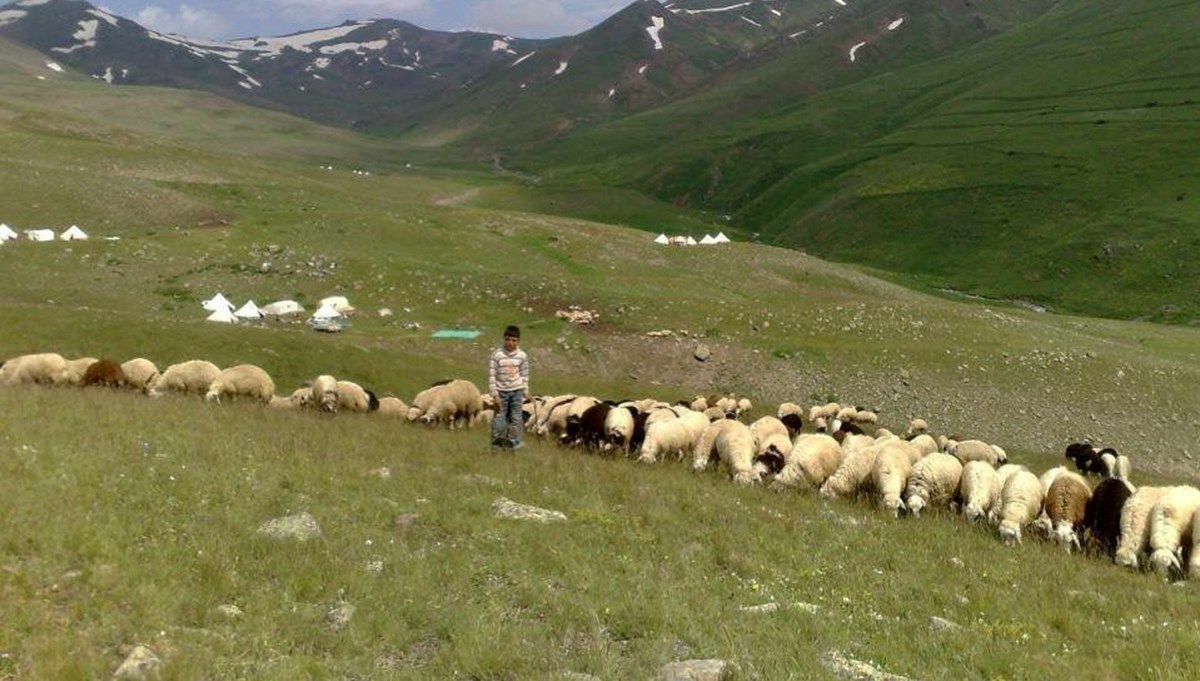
{"x":824,"y":449}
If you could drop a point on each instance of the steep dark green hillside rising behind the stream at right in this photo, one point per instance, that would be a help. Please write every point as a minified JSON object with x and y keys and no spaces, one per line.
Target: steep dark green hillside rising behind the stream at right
{"x":1048,"y":164}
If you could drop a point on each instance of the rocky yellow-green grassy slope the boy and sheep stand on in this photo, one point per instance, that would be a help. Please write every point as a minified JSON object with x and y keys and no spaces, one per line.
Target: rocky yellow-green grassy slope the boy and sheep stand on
{"x":128,"y":521}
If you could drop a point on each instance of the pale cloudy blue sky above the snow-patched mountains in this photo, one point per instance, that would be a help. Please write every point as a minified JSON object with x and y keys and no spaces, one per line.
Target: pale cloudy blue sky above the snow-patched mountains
{"x":224,"y":20}
